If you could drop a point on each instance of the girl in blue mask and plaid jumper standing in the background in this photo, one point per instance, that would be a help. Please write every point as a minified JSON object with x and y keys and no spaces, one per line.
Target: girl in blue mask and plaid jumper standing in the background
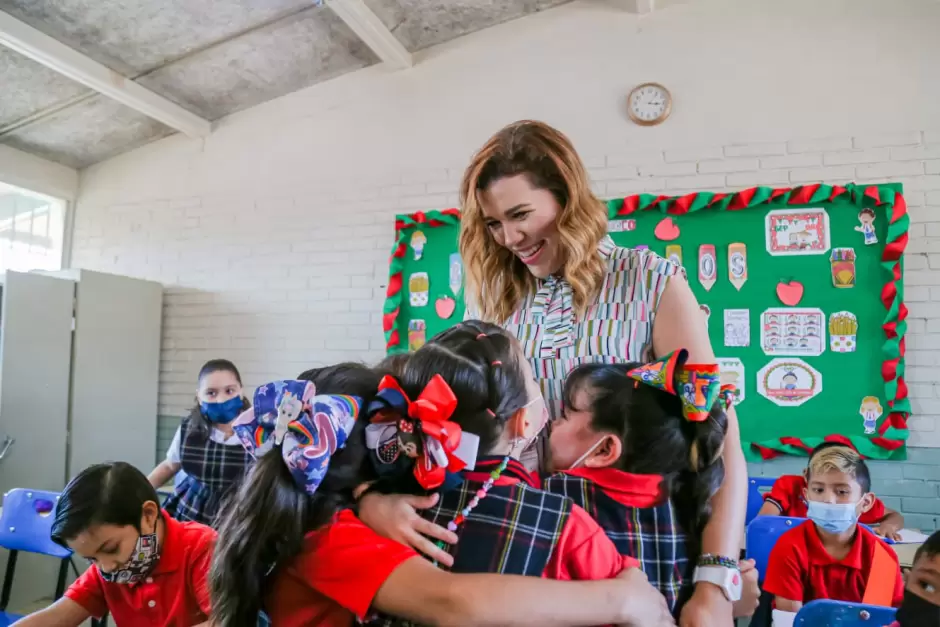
{"x":206,"y":448}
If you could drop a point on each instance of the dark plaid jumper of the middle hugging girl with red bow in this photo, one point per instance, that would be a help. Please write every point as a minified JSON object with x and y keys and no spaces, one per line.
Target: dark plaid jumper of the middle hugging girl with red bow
{"x":512,"y":531}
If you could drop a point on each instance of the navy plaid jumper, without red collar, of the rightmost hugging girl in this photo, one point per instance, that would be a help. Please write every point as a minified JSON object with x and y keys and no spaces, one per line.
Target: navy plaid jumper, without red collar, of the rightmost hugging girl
{"x":652,"y":535}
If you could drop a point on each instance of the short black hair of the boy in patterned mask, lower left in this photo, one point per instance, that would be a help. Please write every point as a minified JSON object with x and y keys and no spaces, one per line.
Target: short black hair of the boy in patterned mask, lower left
{"x":103,"y":494}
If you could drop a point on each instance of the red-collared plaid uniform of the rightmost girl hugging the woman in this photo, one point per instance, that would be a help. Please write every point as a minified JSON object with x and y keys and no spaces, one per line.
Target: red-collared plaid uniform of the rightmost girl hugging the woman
{"x":640,"y":520}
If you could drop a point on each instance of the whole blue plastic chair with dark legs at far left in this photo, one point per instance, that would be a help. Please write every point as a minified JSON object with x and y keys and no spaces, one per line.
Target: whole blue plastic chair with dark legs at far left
{"x":25,"y":525}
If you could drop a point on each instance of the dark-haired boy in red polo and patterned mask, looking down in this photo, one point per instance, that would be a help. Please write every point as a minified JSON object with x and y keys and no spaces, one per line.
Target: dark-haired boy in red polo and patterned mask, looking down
{"x":147,"y":568}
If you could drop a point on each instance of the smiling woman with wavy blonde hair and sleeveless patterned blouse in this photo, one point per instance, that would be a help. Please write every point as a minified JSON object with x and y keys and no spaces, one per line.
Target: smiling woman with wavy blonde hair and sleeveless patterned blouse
{"x":538,"y":262}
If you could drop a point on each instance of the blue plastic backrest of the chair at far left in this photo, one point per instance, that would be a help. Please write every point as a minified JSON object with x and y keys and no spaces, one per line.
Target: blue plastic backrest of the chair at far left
{"x":26,"y":522}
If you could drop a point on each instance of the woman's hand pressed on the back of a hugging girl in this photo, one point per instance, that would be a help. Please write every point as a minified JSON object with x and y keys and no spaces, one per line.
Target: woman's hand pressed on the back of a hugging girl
{"x":395,"y":516}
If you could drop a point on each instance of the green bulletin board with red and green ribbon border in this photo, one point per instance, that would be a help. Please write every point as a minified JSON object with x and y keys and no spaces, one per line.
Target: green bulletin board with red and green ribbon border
{"x":813,"y":391}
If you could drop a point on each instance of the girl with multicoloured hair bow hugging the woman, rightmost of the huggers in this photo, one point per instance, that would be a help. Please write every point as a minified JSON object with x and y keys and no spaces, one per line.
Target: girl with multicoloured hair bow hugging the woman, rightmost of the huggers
{"x":639,"y":446}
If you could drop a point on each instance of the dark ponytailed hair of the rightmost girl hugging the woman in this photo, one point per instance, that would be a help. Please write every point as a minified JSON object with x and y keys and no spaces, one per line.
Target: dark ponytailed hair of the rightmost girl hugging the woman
{"x":656,"y":437}
